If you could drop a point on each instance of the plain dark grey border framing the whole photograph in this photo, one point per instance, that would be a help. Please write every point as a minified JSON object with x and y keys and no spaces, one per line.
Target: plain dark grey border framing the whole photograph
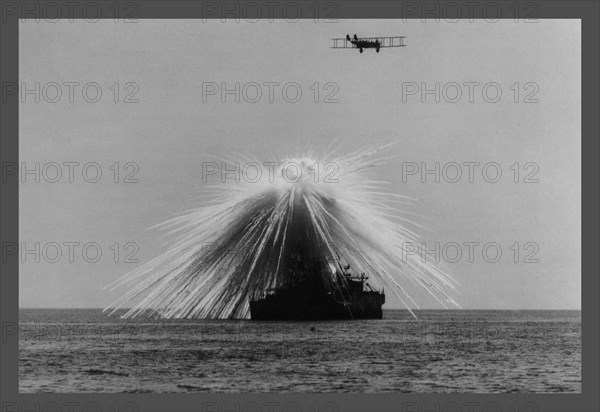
{"x":587,"y":401}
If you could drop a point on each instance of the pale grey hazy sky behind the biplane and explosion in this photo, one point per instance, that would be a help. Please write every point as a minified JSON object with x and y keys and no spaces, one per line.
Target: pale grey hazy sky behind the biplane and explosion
{"x":170,"y":131}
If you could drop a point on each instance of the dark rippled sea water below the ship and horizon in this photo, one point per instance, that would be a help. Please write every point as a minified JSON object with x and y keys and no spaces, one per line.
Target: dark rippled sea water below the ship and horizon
{"x":84,"y":350}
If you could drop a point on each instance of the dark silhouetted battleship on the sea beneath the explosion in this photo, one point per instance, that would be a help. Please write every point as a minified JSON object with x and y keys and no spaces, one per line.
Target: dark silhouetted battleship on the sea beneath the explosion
{"x":306,"y":297}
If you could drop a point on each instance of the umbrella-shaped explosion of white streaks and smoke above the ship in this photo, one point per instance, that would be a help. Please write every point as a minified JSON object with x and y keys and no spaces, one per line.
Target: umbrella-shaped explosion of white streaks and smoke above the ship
{"x":256,"y":228}
